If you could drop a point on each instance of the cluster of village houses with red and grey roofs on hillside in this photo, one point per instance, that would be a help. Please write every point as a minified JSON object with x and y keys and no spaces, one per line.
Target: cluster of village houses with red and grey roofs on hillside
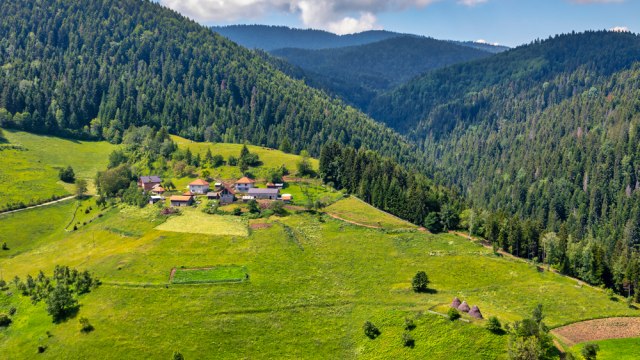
{"x":245,"y":188}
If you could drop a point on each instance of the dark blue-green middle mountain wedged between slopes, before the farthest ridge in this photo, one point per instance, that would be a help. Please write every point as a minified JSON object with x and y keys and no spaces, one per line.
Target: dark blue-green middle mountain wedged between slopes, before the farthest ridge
{"x":357,"y":73}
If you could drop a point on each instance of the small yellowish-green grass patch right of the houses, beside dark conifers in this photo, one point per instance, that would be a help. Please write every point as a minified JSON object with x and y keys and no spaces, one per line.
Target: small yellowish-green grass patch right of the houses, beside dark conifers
{"x":356,"y":210}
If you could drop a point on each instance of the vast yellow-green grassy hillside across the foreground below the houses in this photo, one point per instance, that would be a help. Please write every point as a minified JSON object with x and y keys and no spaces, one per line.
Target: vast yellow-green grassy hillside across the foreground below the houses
{"x":307,"y":297}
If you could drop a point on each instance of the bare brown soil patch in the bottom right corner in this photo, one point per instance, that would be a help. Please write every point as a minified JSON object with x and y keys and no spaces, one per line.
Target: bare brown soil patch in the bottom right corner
{"x":600,"y":329}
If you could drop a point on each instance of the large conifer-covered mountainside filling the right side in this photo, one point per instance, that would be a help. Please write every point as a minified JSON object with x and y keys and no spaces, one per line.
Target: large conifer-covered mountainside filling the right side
{"x":547,"y":132}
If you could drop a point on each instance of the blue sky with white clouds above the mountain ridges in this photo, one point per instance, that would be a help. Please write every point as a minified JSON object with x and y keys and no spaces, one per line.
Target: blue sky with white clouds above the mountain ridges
{"x":505,"y":22}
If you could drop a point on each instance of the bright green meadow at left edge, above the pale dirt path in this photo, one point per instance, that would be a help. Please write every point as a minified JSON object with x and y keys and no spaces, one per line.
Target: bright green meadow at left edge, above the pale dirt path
{"x":31,"y":175}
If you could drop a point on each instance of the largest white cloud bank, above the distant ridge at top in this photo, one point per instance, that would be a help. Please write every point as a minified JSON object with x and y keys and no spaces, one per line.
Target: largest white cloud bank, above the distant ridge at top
{"x":339,"y":16}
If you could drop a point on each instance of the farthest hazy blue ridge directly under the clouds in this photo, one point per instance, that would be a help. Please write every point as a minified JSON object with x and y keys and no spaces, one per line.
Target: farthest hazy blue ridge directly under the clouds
{"x":270,"y":38}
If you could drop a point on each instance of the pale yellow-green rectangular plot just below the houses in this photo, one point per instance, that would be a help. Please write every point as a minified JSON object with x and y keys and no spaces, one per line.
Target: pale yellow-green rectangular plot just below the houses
{"x":197,"y":222}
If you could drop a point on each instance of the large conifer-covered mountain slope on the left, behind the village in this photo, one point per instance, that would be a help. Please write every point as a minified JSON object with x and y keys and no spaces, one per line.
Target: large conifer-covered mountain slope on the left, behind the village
{"x":94,"y":68}
